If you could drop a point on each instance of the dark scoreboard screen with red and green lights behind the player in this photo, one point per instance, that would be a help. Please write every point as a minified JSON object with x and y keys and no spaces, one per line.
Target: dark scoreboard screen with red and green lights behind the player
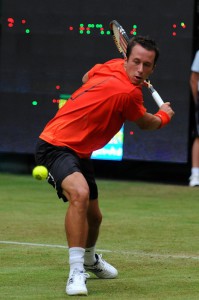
{"x":47,"y":46}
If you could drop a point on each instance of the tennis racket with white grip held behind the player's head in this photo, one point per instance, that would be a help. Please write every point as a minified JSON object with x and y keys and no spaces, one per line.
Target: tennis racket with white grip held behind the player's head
{"x":121,"y":40}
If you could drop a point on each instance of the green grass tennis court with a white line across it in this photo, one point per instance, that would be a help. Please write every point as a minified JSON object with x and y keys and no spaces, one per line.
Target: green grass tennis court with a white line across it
{"x":150,"y":233}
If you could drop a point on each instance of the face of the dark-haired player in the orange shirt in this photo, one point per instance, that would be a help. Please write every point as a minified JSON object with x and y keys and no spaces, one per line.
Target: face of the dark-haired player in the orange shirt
{"x":140,"y":64}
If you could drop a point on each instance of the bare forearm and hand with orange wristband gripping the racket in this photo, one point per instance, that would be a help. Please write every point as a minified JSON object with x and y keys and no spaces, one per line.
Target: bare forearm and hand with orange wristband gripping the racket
{"x":158,"y":120}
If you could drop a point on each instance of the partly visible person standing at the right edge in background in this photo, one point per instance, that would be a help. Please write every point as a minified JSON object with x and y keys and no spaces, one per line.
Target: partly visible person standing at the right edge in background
{"x":194,"y":83}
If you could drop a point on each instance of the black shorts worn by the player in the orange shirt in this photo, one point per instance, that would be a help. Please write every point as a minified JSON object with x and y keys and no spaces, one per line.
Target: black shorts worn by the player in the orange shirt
{"x":61,"y":162}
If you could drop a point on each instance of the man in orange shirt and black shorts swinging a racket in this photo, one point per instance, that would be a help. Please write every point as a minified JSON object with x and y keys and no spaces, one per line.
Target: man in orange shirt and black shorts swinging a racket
{"x":111,"y":94}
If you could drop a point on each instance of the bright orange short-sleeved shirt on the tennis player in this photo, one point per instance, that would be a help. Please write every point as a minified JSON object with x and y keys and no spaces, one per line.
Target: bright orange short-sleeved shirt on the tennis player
{"x":96,"y":111}
